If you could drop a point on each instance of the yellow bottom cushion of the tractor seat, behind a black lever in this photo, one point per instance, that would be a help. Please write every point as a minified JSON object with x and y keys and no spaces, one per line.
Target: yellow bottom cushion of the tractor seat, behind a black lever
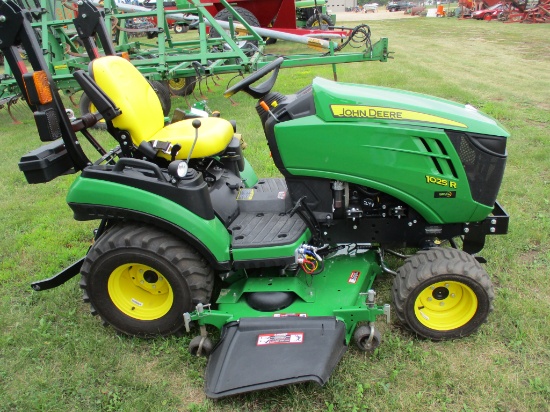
{"x":214,"y":136}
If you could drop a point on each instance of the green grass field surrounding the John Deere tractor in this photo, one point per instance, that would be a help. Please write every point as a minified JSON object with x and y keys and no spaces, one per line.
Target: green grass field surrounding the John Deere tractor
{"x":54,"y":356}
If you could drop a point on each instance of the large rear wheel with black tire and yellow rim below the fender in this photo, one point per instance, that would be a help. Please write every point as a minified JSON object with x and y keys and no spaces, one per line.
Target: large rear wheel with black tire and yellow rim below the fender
{"x":141,"y":280}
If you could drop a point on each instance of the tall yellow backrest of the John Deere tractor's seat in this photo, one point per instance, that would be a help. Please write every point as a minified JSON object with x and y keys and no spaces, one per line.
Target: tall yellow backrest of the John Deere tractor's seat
{"x":142,"y":114}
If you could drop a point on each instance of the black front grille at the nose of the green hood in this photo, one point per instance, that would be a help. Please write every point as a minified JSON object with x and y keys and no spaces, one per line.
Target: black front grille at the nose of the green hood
{"x":483,"y":158}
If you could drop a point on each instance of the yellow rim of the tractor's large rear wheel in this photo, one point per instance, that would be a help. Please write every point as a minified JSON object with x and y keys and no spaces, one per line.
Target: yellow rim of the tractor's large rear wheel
{"x":140,"y":292}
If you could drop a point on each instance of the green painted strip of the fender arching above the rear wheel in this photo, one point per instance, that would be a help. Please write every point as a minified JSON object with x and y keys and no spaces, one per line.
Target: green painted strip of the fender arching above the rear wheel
{"x":211,"y":233}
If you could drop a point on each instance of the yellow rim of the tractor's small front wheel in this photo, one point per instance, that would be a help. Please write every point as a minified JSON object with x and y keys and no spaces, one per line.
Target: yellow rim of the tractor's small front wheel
{"x":445,"y":305}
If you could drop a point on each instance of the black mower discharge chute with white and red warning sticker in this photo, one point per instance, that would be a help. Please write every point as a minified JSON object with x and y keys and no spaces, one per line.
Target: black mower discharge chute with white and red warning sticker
{"x":261,"y":353}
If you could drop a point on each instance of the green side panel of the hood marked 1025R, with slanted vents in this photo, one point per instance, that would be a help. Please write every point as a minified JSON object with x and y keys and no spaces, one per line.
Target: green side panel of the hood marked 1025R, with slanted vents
{"x":400,"y":161}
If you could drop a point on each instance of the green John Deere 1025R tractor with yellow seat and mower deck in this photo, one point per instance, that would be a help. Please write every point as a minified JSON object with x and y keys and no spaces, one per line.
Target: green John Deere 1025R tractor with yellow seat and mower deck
{"x":189,"y":236}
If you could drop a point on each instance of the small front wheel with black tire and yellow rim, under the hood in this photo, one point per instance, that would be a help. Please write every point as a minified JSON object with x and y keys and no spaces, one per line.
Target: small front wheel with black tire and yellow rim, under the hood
{"x":442,"y":293}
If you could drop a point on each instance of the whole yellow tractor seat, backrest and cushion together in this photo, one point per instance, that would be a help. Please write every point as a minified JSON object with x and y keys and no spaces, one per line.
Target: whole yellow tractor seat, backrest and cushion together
{"x":142,"y":115}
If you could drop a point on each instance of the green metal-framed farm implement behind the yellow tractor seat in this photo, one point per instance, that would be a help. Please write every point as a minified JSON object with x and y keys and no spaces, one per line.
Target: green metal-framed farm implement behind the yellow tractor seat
{"x":173,"y":66}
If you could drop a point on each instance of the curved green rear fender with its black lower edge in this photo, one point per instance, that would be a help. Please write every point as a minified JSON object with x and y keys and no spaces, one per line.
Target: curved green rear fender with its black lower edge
{"x":99,"y":199}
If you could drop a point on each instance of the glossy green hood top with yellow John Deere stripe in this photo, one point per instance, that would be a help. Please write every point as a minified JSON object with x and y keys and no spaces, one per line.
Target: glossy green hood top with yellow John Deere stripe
{"x":344,"y":102}
